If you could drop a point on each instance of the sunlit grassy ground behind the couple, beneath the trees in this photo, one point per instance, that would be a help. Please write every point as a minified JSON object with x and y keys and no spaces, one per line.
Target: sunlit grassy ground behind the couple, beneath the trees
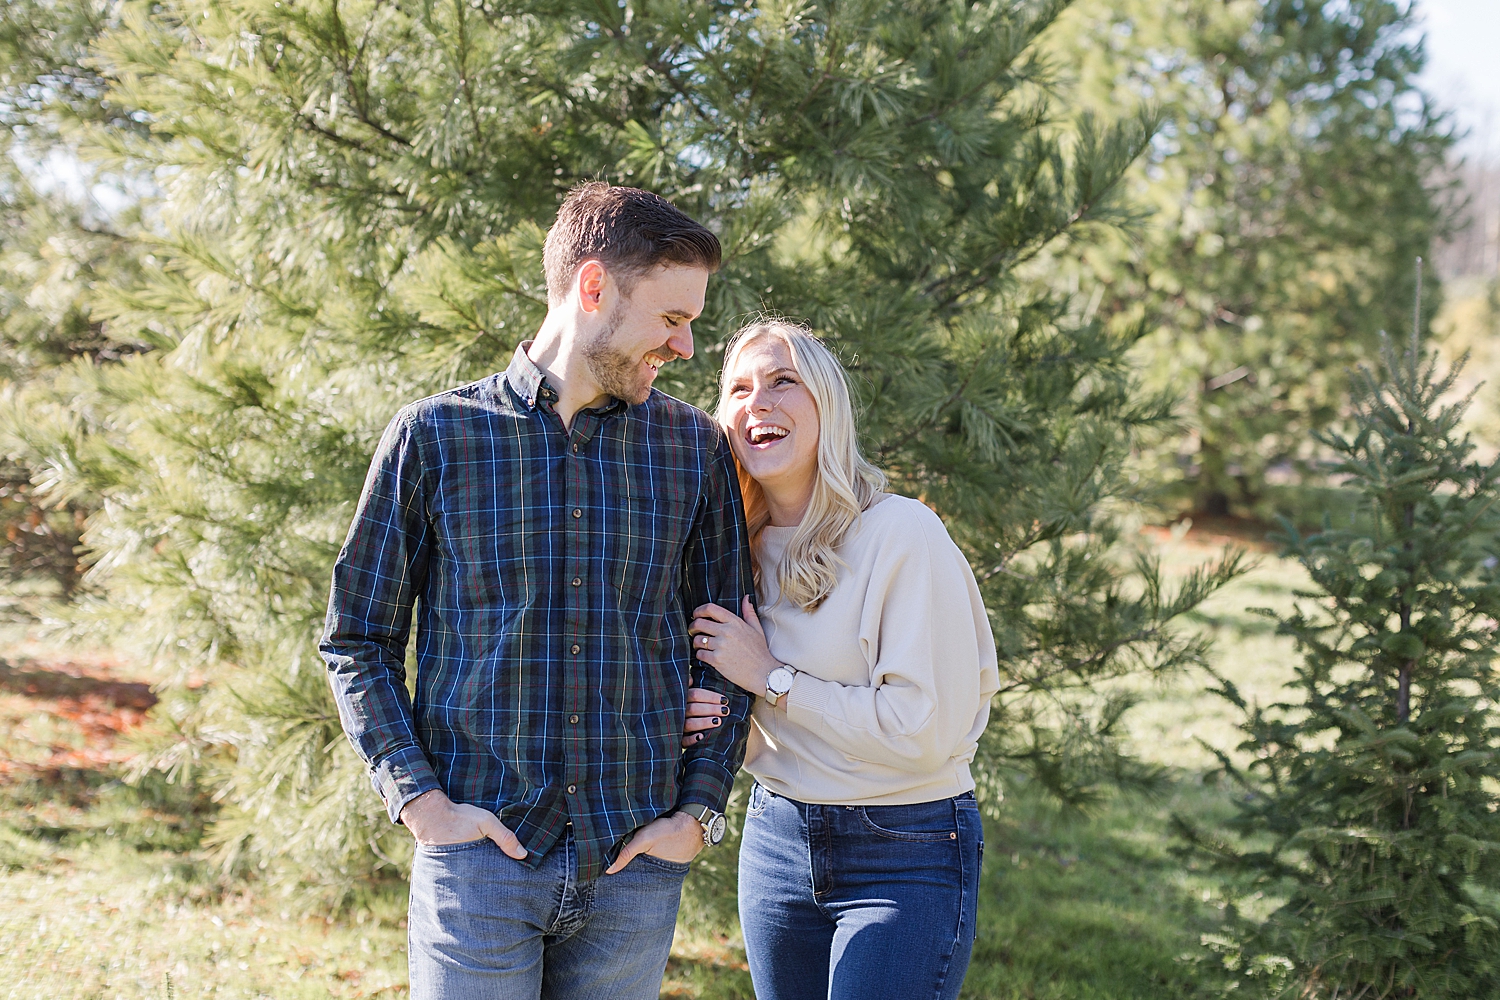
{"x":103,"y":893}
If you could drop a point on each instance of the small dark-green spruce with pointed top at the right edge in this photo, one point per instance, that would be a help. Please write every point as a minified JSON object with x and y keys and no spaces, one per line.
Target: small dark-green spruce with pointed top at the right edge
{"x":1375,"y":785}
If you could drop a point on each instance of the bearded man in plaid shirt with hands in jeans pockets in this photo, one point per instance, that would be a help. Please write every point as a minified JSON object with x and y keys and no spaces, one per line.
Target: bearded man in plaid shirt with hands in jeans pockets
{"x":553,"y":524}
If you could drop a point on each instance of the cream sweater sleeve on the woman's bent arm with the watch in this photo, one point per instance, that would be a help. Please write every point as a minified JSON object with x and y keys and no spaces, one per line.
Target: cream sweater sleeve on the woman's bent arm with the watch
{"x":932,"y":654}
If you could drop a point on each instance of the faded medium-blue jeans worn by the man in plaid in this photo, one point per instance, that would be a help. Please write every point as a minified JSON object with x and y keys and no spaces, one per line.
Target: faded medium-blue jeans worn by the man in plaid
{"x":485,"y":926}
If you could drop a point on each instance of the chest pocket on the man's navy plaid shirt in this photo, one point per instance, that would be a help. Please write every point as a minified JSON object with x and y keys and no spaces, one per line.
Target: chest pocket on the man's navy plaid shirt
{"x":647,"y":554}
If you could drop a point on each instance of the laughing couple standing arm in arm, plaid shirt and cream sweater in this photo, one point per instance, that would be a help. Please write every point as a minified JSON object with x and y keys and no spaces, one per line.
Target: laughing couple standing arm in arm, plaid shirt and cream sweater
{"x":590,"y":663}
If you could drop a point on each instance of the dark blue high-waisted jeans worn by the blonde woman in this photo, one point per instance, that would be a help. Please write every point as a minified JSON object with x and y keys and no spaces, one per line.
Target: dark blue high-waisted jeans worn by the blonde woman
{"x":859,"y":902}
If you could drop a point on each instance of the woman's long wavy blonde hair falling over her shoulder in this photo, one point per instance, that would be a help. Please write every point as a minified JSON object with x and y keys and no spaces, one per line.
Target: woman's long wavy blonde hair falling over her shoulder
{"x":847,"y":484}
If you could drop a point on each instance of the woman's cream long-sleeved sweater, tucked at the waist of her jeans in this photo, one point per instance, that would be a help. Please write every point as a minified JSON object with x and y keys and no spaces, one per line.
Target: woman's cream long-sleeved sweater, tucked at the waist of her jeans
{"x":896,"y":668}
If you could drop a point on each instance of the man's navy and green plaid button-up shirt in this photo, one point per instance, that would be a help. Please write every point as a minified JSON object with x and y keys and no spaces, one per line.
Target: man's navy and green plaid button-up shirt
{"x":553,"y":573}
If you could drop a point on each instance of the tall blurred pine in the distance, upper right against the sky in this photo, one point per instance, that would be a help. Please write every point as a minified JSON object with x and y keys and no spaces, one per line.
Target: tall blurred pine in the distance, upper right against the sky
{"x":1298,"y":173}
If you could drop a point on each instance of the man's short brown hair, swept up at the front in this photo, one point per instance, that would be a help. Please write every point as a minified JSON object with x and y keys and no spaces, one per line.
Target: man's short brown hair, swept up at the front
{"x":629,"y":232}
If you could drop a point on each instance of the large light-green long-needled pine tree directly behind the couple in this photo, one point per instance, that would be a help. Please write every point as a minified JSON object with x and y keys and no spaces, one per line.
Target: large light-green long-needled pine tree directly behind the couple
{"x":352,"y":217}
